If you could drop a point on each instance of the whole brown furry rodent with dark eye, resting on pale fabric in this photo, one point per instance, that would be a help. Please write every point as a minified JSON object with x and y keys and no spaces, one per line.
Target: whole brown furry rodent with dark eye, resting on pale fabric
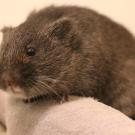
{"x":70,"y":50}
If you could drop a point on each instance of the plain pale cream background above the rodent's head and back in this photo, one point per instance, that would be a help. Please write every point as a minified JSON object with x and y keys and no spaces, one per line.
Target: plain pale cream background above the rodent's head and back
{"x":13,"y":12}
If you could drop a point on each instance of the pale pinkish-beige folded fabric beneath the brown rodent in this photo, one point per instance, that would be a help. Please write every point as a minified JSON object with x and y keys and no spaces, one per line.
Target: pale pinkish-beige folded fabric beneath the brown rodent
{"x":79,"y":116}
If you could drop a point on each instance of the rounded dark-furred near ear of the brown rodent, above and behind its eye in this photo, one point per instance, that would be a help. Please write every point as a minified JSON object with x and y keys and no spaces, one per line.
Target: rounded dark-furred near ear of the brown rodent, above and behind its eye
{"x":60,"y":28}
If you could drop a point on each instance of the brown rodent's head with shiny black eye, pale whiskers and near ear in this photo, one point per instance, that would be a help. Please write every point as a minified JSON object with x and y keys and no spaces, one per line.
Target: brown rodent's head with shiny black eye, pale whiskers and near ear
{"x":36,"y":59}
